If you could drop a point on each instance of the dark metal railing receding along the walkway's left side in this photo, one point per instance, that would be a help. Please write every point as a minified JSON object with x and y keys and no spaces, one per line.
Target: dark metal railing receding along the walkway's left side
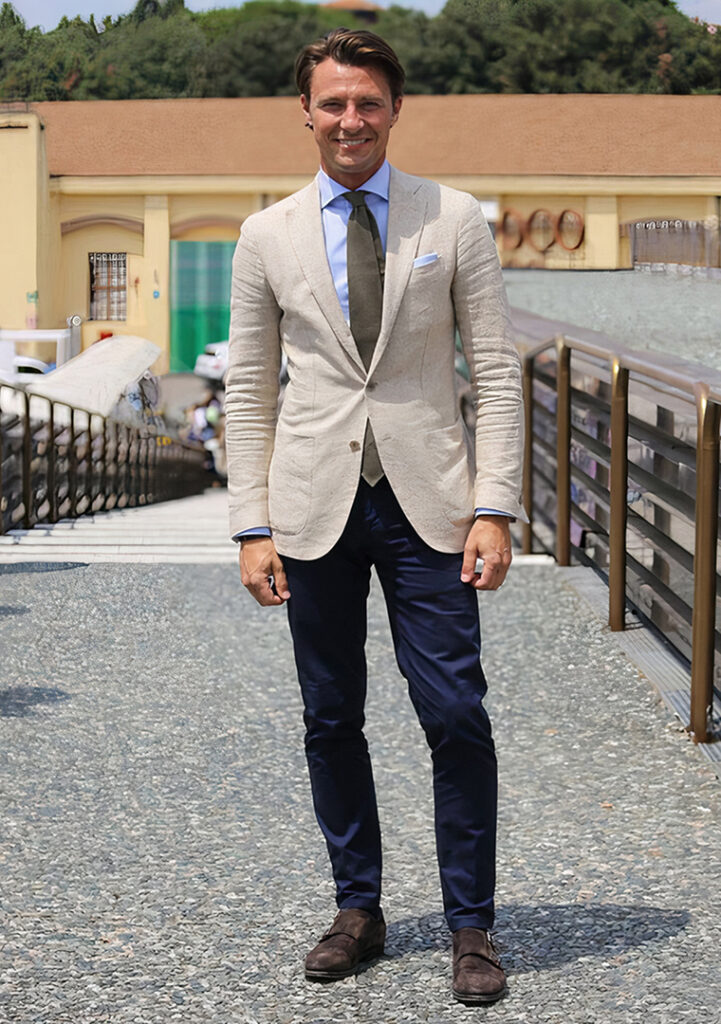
{"x":58,"y":461}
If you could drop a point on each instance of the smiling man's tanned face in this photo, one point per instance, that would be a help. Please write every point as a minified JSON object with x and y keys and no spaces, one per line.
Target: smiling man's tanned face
{"x":352,"y":112}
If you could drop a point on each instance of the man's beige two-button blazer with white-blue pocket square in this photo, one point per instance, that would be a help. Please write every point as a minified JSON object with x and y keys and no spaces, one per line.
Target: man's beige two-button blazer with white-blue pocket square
{"x":299,"y":472}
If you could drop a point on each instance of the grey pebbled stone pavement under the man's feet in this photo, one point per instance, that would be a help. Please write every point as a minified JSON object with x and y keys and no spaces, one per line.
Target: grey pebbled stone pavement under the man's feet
{"x":159,"y":859}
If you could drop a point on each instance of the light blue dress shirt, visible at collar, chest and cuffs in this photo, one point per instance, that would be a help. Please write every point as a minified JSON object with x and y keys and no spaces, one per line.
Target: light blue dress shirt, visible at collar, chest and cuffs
{"x":335,"y":212}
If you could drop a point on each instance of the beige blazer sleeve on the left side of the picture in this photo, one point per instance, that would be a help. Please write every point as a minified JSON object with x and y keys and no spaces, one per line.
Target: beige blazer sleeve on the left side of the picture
{"x":251,"y":386}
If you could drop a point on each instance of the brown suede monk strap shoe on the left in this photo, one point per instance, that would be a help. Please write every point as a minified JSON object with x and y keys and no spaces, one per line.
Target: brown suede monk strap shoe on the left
{"x":355,"y":936}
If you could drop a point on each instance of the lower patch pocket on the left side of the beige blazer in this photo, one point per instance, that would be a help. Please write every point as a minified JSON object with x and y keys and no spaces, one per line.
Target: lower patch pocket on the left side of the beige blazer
{"x":290,"y":483}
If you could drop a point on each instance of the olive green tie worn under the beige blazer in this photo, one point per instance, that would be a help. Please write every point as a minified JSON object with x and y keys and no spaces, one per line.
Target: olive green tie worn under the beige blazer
{"x":366,"y":263}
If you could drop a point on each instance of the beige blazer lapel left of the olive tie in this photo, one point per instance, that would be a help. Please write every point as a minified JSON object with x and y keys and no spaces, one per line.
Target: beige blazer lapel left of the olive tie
{"x":306,"y":230}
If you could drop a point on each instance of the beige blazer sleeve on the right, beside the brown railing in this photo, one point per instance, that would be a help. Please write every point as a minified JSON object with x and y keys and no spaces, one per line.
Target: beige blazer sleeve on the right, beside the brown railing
{"x":484,"y":323}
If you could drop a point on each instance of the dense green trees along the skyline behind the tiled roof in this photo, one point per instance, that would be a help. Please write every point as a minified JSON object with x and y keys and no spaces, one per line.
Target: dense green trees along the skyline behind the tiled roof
{"x":161,"y":50}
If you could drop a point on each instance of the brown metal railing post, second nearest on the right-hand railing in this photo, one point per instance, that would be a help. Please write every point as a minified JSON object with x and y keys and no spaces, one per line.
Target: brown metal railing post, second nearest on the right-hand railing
{"x":618,"y":491}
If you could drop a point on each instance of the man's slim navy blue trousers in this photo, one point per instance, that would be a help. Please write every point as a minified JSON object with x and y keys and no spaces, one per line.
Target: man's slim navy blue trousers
{"x":435,"y":625}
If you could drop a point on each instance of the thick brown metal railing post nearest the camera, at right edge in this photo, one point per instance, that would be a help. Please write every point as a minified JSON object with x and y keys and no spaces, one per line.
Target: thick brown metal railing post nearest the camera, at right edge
{"x":704,"y":625}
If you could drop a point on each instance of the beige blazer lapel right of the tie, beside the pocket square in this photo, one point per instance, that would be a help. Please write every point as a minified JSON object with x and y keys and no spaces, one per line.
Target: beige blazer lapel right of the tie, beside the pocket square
{"x":407,"y":207}
